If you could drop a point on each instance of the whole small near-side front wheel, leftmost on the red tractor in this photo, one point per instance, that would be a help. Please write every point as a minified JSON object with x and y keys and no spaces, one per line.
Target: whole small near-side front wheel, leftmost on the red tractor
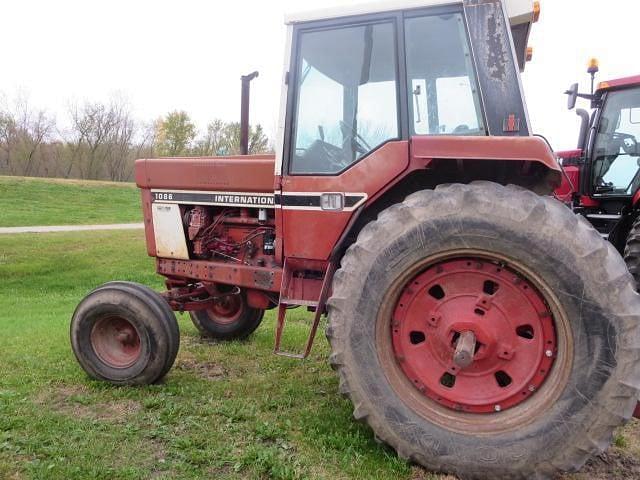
{"x":125,"y":333}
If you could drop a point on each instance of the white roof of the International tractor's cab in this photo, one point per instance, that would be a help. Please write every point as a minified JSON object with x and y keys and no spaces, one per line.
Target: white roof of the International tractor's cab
{"x":520,"y":11}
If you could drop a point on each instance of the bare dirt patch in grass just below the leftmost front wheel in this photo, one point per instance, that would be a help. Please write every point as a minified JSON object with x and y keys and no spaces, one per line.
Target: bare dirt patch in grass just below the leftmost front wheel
{"x":76,"y":401}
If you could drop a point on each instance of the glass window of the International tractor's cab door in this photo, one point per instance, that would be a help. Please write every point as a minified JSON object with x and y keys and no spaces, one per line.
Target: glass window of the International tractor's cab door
{"x":346,"y":96}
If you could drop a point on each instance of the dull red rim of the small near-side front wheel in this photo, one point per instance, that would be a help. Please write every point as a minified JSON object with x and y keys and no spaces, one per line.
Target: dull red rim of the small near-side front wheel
{"x":116,"y":342}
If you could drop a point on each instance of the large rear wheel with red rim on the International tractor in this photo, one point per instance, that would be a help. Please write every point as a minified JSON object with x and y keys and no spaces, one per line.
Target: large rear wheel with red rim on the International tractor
{"x":486,"y":331}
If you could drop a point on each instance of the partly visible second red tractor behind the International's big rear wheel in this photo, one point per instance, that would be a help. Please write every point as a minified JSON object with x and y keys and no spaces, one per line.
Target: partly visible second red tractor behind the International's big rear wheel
{"x":602,"y":176}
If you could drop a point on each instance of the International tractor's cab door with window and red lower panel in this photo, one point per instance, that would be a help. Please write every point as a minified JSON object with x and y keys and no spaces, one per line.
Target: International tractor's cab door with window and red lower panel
{"x":343,"y":137}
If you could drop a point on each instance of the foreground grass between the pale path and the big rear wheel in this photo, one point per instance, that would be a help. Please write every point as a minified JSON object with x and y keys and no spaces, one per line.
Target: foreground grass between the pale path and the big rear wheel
{"x":228,"y":410}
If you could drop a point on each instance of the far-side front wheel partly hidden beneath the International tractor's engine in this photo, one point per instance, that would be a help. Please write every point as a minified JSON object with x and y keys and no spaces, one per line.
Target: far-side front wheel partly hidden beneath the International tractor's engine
{"x":229,"y":319}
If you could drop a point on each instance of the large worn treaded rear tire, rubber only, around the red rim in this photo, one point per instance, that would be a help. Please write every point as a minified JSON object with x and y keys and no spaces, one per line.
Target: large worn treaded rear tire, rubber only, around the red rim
{"x":585,"y":273}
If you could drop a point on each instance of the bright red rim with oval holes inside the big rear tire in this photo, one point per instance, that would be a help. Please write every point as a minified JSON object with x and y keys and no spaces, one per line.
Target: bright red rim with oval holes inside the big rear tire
{"x":513,"y":327}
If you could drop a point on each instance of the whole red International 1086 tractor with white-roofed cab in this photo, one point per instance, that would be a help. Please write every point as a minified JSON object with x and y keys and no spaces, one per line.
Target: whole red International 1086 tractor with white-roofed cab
{"x":478,"y":326}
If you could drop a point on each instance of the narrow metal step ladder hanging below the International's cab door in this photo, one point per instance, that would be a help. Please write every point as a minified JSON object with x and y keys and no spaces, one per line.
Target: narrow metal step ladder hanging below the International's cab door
{"x":286,"y":303}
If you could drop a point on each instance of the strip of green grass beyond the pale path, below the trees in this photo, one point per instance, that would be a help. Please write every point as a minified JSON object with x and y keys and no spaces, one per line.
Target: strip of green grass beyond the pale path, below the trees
{"x":35,"y":201}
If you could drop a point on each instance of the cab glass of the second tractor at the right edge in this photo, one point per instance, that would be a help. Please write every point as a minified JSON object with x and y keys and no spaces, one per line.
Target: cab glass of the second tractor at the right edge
{"x":616,"y":153}
